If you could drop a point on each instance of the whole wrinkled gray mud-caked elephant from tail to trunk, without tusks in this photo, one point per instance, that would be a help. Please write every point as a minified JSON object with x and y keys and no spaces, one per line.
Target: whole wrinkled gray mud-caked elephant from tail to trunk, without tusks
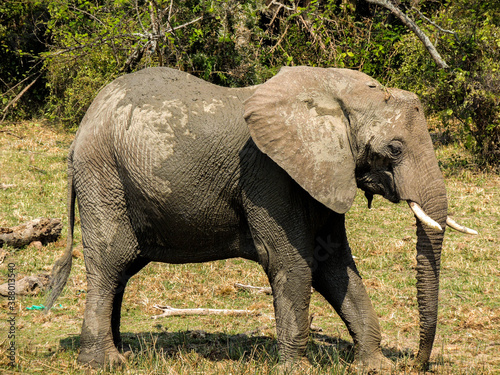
{"x":169,"y":168}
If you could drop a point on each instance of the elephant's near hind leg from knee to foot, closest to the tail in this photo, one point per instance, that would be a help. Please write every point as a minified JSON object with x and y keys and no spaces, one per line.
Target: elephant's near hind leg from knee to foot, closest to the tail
{"x":111,"y":258}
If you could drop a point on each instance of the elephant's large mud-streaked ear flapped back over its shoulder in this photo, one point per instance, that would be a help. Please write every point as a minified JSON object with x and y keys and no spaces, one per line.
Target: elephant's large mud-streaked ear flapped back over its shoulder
{"x":297,"y":119}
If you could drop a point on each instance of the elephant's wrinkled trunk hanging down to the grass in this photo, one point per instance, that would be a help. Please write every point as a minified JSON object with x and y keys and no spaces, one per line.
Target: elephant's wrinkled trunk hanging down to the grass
{"x":429,"y":244}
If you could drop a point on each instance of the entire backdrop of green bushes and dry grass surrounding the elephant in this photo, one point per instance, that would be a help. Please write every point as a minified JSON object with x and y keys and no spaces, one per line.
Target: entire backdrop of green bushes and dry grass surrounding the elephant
{"x":55,"y":55}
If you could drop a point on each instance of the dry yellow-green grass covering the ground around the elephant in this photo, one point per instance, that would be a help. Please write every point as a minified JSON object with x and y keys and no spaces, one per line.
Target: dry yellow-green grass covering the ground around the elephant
{"x":32,"y":158}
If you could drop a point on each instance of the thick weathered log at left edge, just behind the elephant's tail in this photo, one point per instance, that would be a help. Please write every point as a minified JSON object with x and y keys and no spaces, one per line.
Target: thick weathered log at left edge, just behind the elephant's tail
{"x":44,"y":230}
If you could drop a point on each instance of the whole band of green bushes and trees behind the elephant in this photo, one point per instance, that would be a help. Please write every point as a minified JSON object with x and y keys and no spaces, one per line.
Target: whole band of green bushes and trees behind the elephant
{"x":75,"y":47}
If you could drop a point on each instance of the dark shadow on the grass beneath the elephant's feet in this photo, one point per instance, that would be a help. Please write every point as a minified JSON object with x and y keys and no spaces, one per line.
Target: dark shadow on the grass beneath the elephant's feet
{"x":322,"y":350}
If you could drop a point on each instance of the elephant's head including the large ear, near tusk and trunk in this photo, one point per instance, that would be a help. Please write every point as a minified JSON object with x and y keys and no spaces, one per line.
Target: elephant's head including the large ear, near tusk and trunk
{"x":334,"y":130}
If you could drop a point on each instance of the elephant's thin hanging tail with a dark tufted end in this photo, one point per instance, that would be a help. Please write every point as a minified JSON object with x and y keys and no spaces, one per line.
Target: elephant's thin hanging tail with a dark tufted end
{"x":62,"y":267}
